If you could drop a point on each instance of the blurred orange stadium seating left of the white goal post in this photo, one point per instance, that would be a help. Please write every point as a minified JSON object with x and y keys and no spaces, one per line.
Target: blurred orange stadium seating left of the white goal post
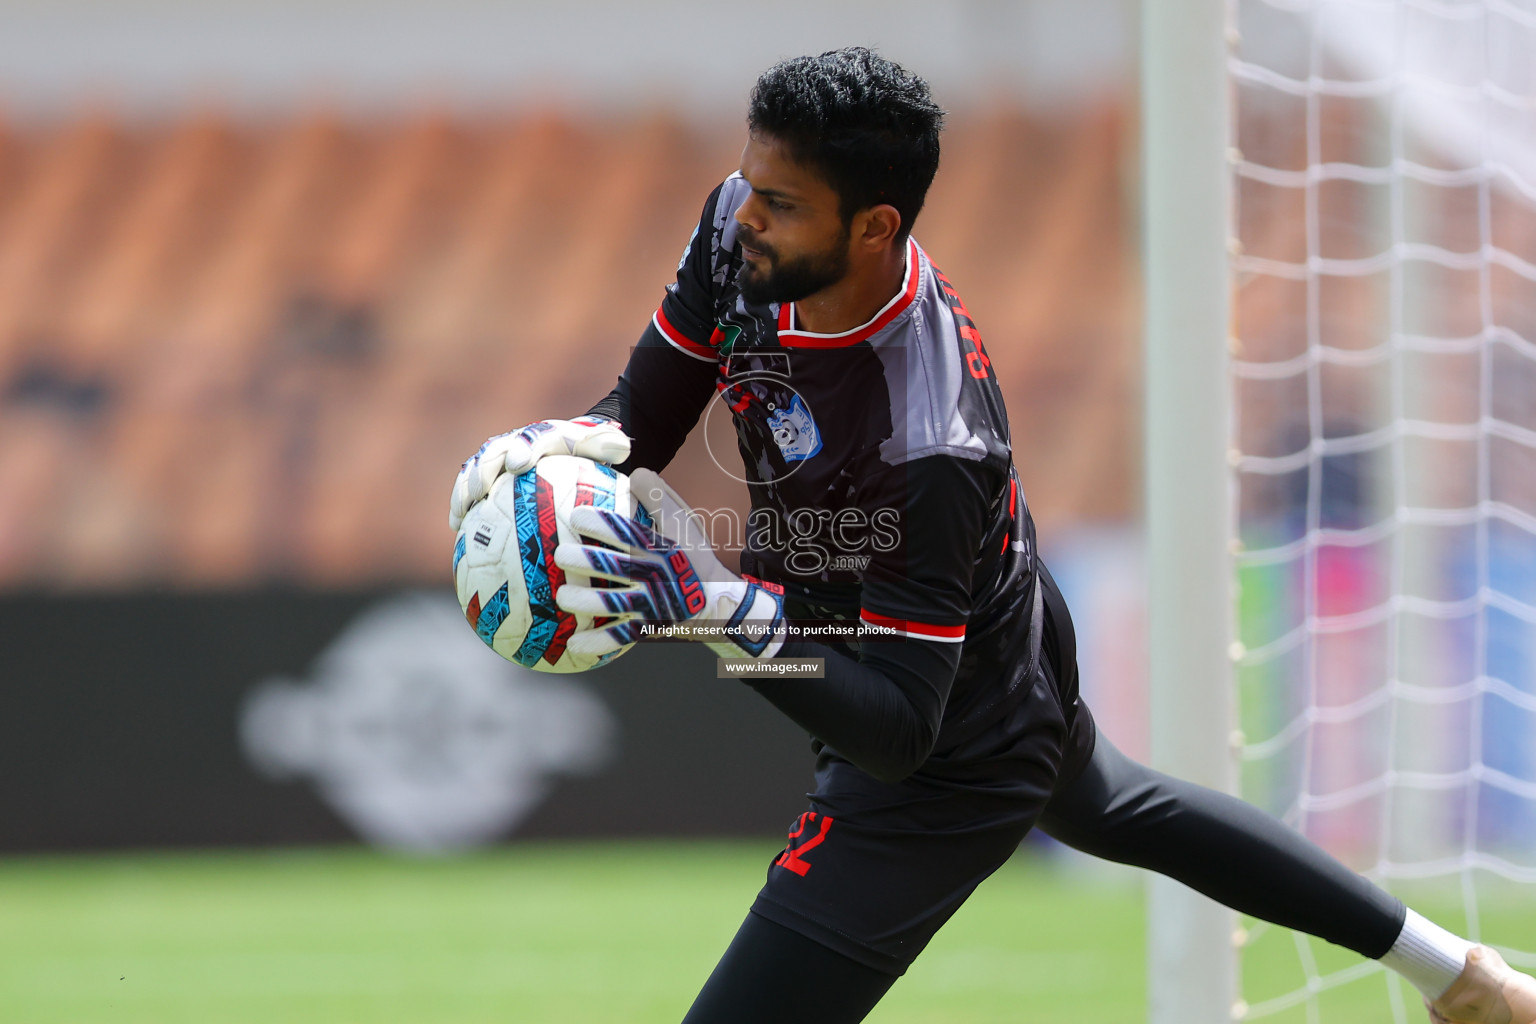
{"x":240,"y":352}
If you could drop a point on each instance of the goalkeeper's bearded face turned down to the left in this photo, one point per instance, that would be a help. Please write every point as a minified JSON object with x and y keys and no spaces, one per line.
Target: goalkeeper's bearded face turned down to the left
{"x":795,"y":240}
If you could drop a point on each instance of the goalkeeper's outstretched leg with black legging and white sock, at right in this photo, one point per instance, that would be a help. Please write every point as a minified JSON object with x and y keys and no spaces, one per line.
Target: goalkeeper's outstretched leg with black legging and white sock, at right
{"x":1242,"y":857}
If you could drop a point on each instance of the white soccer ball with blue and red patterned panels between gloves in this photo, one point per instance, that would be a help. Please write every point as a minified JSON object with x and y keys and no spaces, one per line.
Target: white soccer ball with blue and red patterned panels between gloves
{"x":505,"y":560}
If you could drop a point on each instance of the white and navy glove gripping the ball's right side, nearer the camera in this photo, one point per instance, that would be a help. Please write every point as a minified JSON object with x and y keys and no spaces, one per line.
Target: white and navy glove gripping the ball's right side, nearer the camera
{"x":663,"y":576}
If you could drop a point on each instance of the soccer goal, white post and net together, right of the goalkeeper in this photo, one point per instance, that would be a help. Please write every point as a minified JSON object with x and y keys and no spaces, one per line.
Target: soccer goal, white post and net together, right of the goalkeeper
{"x":1340,"y":257}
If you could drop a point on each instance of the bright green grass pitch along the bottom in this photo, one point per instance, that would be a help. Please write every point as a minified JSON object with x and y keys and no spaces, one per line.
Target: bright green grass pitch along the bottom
{"x":569,"y":934}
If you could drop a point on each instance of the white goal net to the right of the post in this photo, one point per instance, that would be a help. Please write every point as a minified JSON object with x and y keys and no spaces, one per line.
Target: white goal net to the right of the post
{"x":1385,"y":464}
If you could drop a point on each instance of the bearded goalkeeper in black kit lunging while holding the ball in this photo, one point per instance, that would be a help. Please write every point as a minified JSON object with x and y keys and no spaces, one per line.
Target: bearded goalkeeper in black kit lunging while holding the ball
{"x":876,"y":444}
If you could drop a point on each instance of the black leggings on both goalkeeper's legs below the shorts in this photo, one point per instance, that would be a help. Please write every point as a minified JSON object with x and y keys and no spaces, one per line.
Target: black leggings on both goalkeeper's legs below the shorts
{"x":1116,"y":810}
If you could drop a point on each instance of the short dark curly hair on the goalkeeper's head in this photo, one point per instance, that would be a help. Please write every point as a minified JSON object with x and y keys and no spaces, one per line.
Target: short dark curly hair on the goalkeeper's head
{"x":866,"y":124}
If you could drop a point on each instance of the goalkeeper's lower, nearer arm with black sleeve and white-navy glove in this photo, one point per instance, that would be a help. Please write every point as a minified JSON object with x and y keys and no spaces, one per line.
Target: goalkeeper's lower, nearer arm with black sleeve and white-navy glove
{"x":881,"y":712}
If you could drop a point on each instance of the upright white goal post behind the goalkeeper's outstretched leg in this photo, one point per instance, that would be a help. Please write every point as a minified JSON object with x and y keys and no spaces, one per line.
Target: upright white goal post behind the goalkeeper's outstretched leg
{"x":1185,"y":130}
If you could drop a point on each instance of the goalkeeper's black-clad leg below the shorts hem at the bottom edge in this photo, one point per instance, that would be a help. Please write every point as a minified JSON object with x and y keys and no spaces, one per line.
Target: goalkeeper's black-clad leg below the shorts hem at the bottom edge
{"x":772,"y":974}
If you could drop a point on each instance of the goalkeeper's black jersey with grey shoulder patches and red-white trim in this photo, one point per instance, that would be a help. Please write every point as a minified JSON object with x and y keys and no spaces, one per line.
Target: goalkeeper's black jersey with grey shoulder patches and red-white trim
{"x":882,"y":489}
